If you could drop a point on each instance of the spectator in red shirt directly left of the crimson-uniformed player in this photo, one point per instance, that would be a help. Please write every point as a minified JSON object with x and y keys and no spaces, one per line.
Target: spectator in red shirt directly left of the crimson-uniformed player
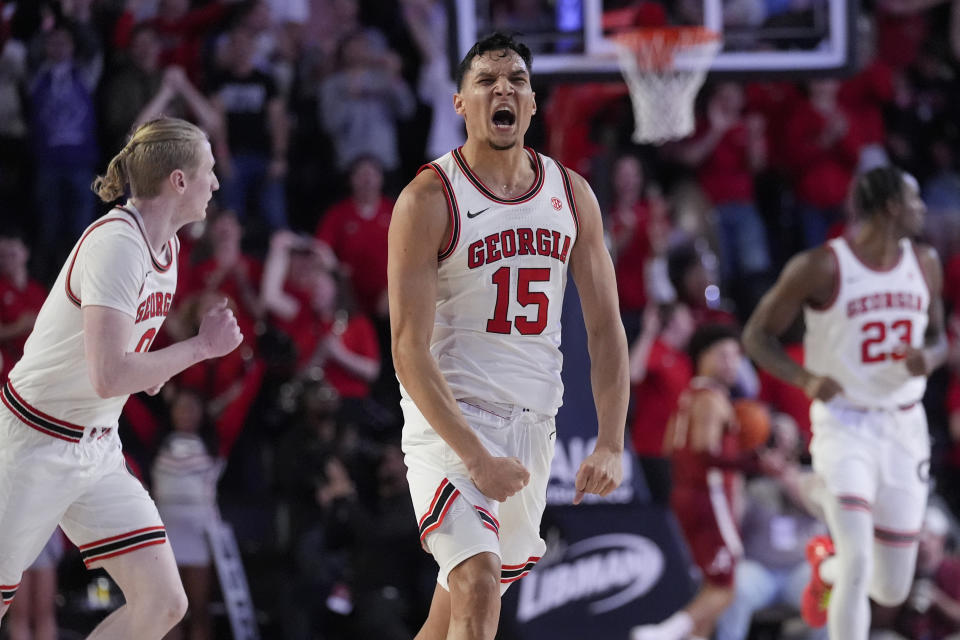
{"x":660,"y":370}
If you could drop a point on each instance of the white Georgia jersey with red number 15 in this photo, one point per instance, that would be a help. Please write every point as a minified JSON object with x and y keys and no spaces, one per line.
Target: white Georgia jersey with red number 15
{"x":501,"y":279}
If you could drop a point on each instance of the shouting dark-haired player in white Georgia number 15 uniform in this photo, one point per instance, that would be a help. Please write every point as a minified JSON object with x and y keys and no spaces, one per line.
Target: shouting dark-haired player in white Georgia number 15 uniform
{"x":479,"y":246}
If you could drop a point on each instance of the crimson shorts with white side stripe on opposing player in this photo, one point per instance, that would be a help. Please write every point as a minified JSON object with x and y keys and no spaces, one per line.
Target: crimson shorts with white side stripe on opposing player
{"x":709,"y":528}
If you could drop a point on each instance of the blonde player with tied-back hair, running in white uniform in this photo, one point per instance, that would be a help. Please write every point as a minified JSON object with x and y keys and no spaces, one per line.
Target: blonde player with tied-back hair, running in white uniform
{"x":60,"y":456}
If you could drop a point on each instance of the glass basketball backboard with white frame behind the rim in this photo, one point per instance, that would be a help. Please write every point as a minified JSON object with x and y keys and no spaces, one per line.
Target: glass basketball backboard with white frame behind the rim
{"x":812,"y":37}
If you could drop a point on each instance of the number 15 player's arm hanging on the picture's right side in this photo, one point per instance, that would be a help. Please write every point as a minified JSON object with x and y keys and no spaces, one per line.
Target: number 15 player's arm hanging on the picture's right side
{"x":592,"y":270}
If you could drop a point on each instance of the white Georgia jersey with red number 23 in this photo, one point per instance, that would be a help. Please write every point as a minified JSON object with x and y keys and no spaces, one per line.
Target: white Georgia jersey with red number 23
{"x":858,"y":338}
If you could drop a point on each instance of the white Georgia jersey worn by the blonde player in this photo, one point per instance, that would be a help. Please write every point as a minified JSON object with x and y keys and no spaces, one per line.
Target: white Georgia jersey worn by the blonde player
{"x":112,"y":265}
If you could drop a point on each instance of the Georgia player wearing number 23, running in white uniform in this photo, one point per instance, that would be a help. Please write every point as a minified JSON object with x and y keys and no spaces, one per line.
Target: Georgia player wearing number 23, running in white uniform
{"x":874,"y":332}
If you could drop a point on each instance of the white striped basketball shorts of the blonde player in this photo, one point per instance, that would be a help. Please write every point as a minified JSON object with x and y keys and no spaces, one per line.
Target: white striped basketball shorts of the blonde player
{"x":83,"y":486}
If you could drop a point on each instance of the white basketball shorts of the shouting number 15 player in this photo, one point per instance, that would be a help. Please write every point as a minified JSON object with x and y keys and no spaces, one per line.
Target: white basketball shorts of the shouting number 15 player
{"x":456,"y":520}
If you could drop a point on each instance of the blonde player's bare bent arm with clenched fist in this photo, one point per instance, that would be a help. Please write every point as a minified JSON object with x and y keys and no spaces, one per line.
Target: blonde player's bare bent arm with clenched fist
{"x":114,"y":371}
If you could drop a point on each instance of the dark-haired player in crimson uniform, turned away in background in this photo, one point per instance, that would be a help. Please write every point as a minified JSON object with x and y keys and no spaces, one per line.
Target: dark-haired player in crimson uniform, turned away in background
{"x":699,"y":443}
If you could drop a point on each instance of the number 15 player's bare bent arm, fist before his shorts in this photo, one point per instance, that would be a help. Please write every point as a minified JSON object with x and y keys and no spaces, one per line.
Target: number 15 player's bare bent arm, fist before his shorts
{"x":419,"y":227}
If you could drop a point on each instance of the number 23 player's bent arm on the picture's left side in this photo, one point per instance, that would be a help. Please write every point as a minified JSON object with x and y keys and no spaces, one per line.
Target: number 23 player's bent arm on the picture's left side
{"x":809,"y":278}
